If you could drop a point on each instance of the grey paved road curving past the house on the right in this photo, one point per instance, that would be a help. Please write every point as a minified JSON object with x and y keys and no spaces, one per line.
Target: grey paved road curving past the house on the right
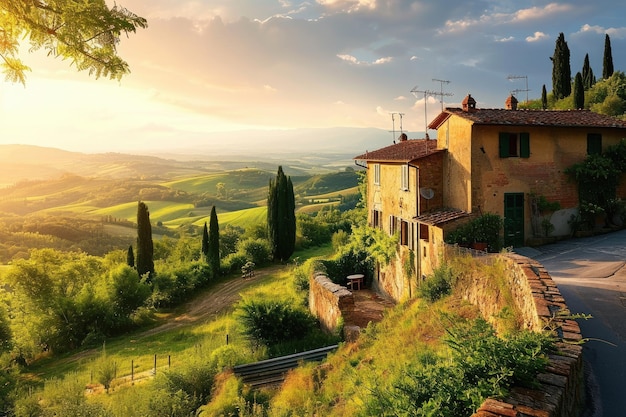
{"x":591,"y":275}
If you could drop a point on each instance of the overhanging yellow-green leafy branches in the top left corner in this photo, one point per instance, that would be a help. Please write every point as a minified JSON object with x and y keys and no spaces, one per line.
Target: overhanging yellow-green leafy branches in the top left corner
{"x":85,"y":32}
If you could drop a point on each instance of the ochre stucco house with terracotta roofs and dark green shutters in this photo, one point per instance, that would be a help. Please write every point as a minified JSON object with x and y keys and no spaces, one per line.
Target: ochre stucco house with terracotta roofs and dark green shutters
{"x":483,"y":161}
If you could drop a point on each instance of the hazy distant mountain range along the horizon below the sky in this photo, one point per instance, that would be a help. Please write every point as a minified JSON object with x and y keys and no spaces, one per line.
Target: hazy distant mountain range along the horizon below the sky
{"x":299,"y":151}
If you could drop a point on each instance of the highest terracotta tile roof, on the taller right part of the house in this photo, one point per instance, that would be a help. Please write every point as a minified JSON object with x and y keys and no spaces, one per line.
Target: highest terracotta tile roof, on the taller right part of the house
{"x":555,"y":118}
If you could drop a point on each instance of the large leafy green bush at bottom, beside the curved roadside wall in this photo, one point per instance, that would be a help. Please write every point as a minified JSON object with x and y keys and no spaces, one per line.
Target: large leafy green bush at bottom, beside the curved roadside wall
{"x":481,"y":366}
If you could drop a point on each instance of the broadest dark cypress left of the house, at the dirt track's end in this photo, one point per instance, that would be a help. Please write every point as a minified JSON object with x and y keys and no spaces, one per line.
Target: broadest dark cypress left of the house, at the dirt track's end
{"x":281,"y":217}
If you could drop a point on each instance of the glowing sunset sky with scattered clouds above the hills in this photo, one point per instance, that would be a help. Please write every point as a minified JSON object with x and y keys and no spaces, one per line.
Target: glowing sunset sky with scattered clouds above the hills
{"x":239,"y":66}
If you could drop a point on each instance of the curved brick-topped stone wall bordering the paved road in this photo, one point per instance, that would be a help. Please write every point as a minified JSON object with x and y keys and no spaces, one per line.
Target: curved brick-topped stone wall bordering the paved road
{"x":561,"y":391}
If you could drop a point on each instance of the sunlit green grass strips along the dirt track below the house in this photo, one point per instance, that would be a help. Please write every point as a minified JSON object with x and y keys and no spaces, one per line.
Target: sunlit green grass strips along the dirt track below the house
{"x":176,"y":346}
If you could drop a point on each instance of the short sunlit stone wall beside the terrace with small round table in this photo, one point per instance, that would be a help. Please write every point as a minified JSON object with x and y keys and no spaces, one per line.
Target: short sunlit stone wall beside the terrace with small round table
{"x":327,"y":300}
